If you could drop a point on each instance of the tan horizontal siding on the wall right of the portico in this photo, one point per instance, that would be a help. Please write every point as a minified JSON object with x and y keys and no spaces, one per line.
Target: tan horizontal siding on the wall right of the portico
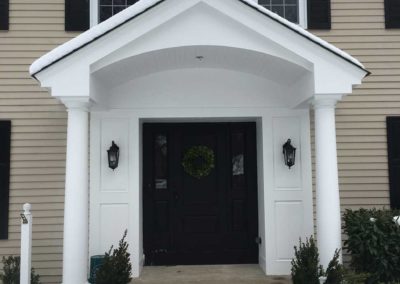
{"x":358,"y":27}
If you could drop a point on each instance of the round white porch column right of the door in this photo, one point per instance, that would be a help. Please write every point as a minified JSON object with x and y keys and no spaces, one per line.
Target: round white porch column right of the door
{"x":327,"y":181}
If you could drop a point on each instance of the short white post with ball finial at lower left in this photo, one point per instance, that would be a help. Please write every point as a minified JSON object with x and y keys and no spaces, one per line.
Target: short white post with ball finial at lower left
{"x":26,"y":245}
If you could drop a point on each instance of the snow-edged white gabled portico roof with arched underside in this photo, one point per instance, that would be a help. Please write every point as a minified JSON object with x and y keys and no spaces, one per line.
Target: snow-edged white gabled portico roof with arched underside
{"x":154,"y":36}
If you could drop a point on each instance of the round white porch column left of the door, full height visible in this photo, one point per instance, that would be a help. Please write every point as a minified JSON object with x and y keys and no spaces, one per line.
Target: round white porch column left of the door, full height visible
{"x":76,"y":222}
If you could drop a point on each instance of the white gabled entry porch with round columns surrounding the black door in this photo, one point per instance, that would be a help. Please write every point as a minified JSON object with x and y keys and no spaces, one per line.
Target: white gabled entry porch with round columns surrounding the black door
{"x":197,"y":61}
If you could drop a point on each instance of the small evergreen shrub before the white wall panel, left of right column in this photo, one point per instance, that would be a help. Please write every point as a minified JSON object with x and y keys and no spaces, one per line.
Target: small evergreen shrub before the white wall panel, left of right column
{"x":305,"y":265}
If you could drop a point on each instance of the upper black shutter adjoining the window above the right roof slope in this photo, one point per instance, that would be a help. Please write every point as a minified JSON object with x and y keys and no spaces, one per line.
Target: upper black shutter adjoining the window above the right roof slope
{"x":319,"y":14}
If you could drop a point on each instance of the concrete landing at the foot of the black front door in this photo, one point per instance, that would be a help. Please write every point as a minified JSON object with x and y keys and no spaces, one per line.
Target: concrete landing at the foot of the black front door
{"x":208,"y":274}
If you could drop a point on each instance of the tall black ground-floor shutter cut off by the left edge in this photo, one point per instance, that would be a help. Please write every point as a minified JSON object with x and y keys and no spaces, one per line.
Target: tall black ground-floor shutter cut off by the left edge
{"x":5,"y":143}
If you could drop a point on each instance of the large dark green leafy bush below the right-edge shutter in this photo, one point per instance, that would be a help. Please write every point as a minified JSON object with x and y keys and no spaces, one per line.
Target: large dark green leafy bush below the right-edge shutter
{"x":374,"y":244}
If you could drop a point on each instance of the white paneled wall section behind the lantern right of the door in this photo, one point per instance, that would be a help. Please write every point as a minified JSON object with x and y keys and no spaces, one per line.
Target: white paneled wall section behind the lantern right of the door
{"x":289,"y":200}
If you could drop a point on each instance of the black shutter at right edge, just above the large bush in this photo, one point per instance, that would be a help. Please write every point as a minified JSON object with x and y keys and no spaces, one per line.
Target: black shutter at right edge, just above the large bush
{"x":393,"y":139}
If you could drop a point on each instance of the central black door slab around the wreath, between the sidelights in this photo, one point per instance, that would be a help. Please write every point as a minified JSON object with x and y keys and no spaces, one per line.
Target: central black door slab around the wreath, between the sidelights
{"x":199,"y":205}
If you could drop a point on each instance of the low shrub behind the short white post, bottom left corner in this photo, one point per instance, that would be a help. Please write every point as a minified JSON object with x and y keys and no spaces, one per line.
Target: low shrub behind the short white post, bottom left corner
{"x":11,"y":268}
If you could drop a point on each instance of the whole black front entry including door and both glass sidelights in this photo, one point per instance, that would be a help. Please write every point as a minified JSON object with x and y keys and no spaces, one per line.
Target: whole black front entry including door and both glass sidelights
{"x":200,"y":220}
